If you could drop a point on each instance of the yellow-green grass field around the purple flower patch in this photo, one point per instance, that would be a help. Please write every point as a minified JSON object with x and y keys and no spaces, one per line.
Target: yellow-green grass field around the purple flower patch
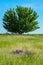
{"x":32,"y":43}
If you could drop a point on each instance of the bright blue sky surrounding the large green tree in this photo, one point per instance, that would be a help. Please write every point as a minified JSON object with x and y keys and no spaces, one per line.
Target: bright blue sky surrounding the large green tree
{"x":37,"y":5}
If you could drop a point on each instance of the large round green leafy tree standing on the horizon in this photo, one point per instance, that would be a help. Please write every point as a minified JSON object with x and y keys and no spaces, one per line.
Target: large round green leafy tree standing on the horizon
{"x":20,"y":20}
